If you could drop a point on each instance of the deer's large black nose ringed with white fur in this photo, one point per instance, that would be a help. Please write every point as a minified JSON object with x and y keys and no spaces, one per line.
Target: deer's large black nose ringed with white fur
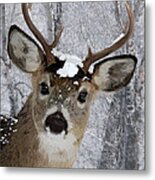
{"x":56,"y":123}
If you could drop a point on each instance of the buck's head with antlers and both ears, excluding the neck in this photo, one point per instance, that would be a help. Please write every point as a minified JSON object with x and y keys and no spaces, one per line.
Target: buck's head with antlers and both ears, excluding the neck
{"x":60,"y":106}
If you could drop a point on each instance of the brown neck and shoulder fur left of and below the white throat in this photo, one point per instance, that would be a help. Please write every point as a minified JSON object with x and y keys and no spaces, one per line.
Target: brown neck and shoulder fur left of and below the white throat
{"x":22,"y":150}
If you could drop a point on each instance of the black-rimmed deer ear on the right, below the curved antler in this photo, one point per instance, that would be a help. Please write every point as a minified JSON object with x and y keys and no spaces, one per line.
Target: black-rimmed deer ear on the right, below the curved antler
{"x":114,"y":73}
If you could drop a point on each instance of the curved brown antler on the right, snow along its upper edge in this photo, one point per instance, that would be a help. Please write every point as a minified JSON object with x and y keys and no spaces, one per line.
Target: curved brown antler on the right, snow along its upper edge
{"x":91,"y":58}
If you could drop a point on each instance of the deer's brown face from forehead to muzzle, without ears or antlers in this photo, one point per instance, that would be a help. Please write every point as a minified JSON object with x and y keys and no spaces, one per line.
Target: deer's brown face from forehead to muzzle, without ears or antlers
{"x":61,"y":105}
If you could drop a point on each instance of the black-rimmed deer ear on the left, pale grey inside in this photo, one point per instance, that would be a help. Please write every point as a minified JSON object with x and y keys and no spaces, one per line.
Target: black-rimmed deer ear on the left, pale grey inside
{"x":23,"y":50}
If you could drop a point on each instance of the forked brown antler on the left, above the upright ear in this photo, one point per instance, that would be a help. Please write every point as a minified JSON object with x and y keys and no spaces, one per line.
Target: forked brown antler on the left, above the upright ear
{"x":47,"y":47}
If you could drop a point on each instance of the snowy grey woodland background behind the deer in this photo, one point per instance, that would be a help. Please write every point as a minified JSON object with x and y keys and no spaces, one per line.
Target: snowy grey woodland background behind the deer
{"x":115,"y":134}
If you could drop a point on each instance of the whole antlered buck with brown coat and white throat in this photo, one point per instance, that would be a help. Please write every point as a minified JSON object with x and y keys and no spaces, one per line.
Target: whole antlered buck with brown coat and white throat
{"x":53,"y":121}
